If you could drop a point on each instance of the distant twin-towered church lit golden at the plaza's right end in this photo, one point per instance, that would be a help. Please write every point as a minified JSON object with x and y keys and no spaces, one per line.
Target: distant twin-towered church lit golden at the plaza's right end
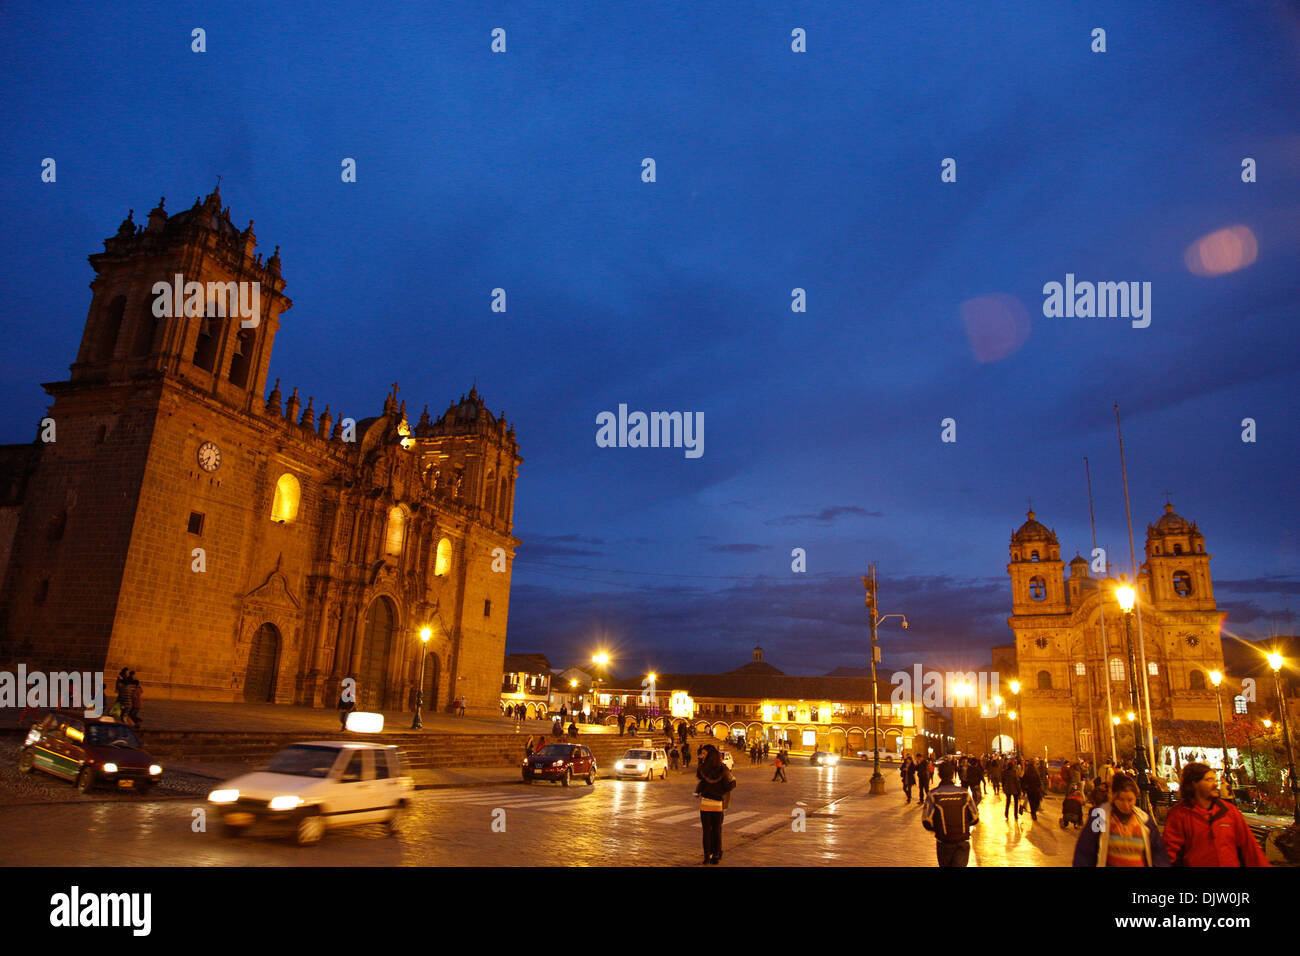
{"x":1072,"y":656}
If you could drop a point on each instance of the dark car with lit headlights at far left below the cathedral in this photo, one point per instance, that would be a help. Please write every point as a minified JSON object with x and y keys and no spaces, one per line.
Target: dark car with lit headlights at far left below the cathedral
{"x":92,"y":751}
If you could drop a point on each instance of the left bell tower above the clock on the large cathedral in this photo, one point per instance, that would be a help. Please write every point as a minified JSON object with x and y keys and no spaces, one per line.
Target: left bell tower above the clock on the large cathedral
{"x":184,"y":296}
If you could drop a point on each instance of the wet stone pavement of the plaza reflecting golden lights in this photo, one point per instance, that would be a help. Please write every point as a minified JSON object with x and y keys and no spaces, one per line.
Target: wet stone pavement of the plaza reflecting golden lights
{"x":821,"y":817}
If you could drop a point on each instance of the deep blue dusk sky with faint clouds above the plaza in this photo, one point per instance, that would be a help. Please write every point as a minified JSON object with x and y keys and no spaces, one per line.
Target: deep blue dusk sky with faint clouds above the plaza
{"x":775,"y":171}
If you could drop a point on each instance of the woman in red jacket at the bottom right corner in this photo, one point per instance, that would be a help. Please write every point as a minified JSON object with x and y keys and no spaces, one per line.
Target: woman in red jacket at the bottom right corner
{"x":1206,"y":832}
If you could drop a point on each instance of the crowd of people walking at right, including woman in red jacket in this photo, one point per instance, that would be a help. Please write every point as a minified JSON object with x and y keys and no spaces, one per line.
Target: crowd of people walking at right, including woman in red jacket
{"x":1202,"y":829}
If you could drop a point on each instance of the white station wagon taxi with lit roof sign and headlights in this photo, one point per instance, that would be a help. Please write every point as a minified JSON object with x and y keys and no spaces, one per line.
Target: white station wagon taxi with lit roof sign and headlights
{"x":313,"y":788}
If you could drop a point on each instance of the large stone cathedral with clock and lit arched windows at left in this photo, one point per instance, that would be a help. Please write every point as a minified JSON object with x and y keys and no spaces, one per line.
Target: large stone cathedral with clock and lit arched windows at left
{"x":235,"y":546}
